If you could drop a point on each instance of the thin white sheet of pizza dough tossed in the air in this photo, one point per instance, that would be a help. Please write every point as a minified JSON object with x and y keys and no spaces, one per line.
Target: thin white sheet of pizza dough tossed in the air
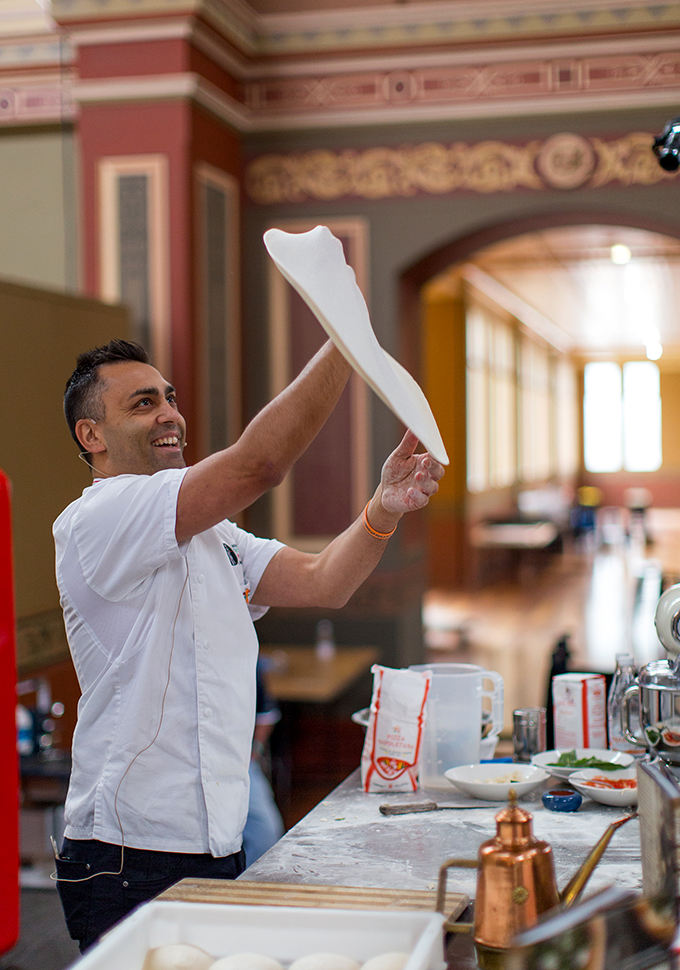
{"x":314,"y":264}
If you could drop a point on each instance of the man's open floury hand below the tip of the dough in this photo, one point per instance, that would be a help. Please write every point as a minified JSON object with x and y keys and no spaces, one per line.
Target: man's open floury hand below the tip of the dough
{"x":408,"y":480}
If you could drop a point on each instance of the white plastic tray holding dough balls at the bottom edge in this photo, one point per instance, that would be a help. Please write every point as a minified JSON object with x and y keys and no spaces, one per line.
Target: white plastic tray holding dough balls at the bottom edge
{"x":282,"y":932}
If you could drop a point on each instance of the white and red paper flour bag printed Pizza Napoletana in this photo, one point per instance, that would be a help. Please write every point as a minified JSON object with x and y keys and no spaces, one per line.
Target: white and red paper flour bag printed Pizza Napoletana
{"x":391,"y":754}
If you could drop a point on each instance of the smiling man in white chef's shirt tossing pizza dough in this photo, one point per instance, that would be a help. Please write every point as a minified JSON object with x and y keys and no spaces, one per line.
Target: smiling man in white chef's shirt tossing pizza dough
{"x":159,"y":591}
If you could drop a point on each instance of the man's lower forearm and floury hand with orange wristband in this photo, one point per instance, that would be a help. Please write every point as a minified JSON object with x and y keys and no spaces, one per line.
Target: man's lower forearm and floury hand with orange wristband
{"x":329,"y":578}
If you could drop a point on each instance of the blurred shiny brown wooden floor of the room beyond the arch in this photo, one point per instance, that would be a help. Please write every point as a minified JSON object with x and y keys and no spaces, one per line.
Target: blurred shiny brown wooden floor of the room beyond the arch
{"x":601,"y":591}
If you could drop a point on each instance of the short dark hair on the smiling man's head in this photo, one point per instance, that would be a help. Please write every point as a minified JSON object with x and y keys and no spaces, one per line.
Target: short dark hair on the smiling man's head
{"x":82,"y":395}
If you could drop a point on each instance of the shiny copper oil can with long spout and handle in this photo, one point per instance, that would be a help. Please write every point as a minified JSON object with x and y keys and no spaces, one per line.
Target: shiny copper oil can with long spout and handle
{"x":516,"y":883}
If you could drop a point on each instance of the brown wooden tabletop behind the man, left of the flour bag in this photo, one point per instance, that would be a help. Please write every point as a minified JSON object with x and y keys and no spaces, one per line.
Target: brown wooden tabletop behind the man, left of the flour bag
{"x":297,"y":674}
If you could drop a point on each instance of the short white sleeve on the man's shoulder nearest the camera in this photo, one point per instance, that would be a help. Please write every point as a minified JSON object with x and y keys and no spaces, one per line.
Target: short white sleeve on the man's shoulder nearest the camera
{"x":125,"y":530}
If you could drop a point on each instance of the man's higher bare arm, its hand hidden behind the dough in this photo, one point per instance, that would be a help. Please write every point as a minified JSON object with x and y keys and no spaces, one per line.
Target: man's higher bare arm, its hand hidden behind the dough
{"x":223,"y":484}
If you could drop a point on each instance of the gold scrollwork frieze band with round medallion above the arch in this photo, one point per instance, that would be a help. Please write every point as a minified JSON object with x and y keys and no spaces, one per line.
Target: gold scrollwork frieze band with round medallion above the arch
{"x":565,"y":161}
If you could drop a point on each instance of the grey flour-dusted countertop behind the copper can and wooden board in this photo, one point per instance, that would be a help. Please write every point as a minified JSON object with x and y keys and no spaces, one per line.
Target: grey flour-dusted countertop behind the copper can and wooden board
{"x":346,"y":841}
